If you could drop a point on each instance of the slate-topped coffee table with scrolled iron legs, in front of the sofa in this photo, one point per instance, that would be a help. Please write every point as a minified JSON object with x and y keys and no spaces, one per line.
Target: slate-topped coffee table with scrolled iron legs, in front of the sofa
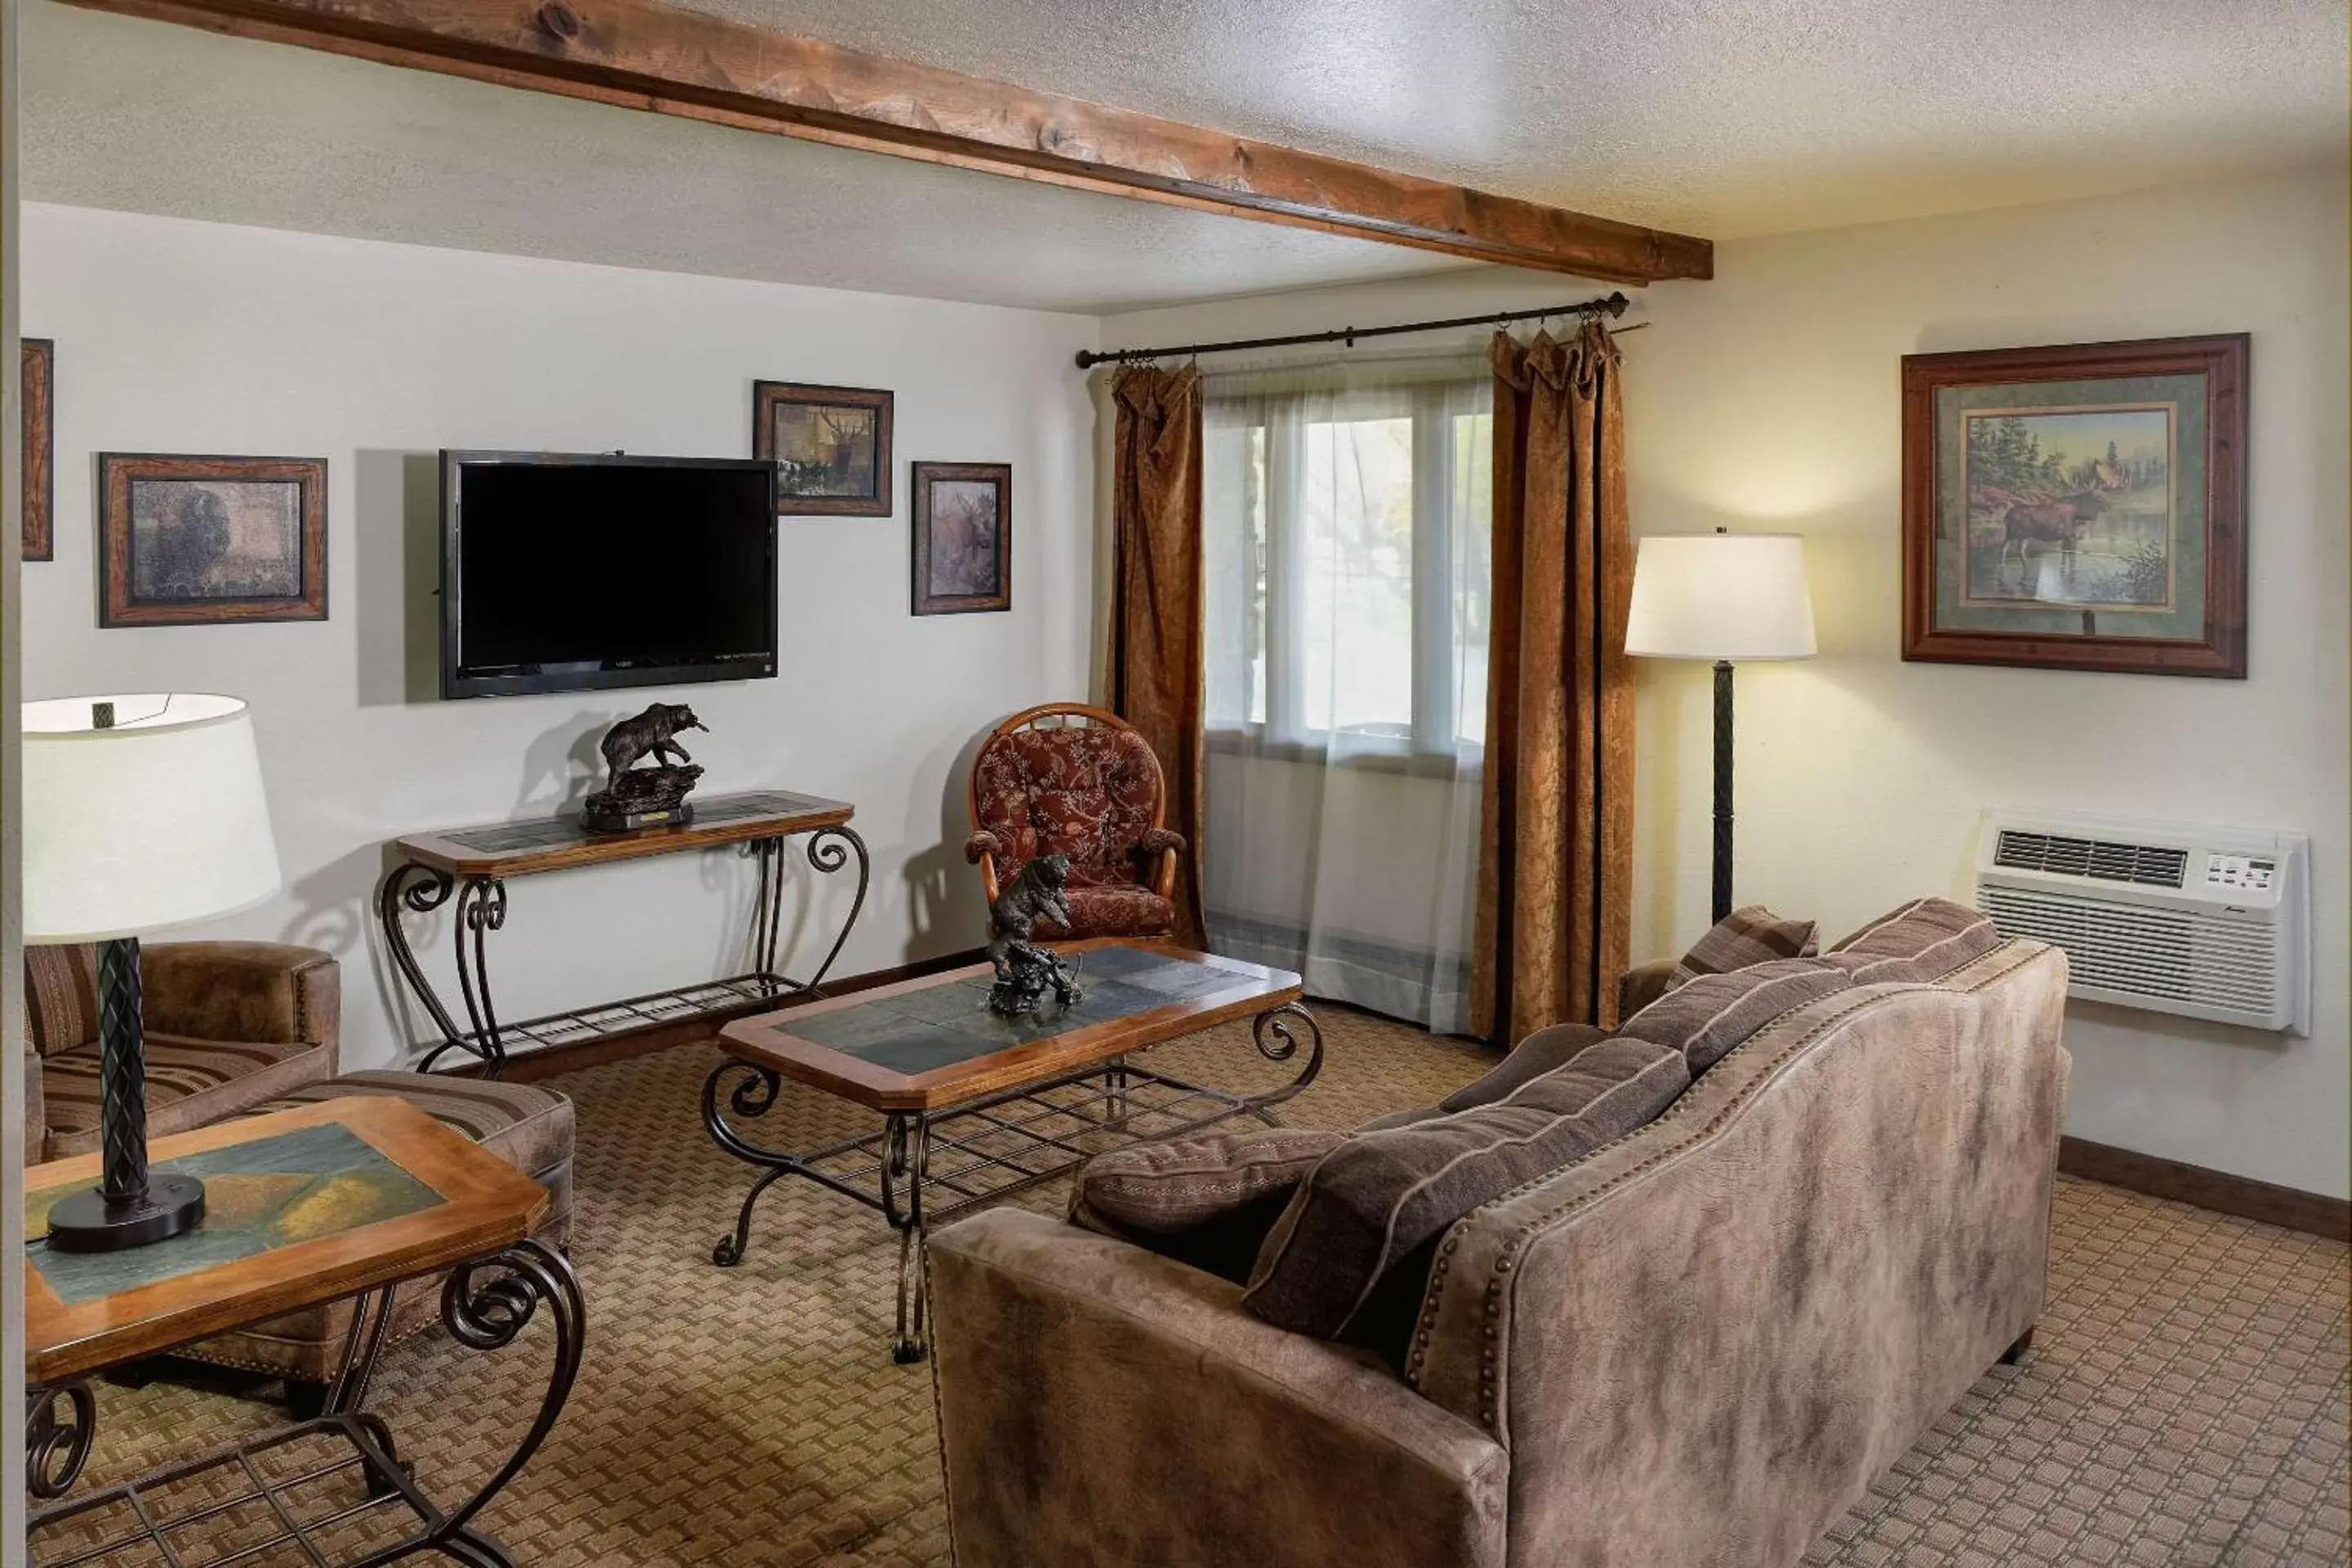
{"x":975,"y":1106}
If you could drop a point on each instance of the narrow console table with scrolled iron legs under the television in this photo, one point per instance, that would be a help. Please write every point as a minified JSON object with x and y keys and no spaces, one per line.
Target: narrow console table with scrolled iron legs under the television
{"x":476,"y":864}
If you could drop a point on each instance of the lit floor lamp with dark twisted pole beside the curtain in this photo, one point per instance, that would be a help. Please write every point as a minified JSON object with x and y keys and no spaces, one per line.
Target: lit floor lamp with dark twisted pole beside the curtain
{"x":1730,"y":598}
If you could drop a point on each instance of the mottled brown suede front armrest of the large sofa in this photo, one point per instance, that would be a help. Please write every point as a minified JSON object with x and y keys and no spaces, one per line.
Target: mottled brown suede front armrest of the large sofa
{"x":1102,"y":1405}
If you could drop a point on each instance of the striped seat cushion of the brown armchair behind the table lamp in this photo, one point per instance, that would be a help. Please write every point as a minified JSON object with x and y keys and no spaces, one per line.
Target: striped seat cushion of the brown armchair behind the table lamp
{"x":192,"y":1083}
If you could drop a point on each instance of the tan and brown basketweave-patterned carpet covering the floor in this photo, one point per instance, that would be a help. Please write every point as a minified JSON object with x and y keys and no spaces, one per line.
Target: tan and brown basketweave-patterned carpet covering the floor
{"x":2186,"y":1402}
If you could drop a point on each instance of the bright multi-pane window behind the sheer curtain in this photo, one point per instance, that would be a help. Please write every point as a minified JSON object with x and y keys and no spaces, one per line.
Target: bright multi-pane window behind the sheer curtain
{"x":1347,"y":535}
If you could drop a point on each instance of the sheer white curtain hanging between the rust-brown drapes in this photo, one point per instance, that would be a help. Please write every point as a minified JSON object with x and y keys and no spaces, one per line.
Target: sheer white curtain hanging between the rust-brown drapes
{"x":1347,"y":516}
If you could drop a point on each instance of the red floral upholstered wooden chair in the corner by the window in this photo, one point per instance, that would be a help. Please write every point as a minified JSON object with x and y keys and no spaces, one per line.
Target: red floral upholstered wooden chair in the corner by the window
{"x":1078,"y":782}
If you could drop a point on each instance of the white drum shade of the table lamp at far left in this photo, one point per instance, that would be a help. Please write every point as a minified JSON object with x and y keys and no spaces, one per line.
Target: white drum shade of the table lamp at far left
{"x":159,"y":822}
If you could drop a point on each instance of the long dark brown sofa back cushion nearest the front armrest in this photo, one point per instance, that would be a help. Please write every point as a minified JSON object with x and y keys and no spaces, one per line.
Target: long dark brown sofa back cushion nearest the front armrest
{"x":1354,"y":1249}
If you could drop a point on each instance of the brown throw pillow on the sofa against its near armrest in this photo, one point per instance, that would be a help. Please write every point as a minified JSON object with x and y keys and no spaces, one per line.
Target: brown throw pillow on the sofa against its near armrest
{"x":1203,"y":1200}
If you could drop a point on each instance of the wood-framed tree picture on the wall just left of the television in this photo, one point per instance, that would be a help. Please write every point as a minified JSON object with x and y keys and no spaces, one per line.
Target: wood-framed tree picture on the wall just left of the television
{"x":211,"y":540}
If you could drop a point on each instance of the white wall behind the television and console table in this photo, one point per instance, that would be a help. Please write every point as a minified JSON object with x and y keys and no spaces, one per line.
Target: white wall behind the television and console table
{"x":199,"y":337}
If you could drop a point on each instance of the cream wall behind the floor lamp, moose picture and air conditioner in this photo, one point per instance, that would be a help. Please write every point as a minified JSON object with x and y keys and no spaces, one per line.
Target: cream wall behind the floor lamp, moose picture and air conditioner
{"x":1770,"y":398}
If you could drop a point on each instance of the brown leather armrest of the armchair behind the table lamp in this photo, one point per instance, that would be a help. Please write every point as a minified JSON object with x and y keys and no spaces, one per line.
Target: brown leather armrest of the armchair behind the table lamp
{"x":243,"y":991}
